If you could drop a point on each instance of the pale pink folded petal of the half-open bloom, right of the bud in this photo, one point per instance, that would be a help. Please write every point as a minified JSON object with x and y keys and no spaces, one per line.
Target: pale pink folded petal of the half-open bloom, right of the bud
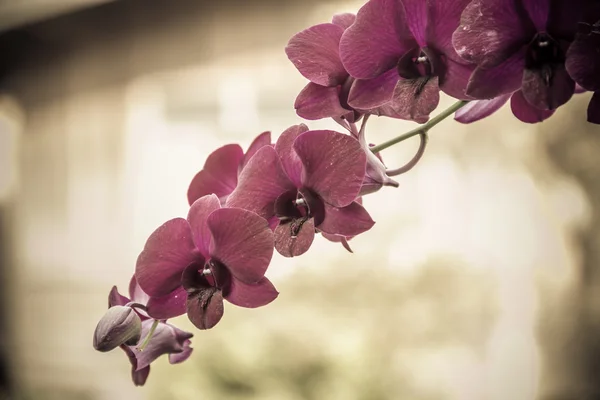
{"x":164,"y":340}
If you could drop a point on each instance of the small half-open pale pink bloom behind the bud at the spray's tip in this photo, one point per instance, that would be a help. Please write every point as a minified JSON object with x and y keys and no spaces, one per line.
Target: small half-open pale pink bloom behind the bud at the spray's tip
{"x":166,"y":338}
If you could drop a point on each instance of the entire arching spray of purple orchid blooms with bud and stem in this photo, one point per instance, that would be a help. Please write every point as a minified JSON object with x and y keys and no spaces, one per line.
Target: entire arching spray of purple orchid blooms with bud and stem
{"x":391,"y":59}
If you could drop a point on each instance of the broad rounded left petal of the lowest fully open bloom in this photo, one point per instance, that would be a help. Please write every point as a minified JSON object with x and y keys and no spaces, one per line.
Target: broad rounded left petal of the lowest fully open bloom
{"x":167,"y":252}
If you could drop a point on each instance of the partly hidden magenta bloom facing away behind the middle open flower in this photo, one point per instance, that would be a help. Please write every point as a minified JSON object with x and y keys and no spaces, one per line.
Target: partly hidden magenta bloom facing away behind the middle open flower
{"x":221,"y":169}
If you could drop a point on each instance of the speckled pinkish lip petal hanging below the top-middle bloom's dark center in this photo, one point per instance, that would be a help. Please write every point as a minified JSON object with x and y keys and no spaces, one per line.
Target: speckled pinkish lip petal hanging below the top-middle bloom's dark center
{"x":415,"y":99}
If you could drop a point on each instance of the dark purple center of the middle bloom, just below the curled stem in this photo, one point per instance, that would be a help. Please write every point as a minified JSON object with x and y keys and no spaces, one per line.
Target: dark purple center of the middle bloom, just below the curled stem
{"x":295,"y":207}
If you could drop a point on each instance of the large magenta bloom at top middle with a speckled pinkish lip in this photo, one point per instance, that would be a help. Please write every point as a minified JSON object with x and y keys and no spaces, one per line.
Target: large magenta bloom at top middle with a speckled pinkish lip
{"x":402,"y":50}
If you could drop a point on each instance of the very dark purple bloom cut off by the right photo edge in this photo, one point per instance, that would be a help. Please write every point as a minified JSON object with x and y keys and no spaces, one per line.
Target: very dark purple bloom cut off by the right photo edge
{"x":583,"y":58}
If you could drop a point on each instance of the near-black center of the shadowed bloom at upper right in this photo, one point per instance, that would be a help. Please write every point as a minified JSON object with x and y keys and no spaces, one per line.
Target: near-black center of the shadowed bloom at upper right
{"x":542,"y":54}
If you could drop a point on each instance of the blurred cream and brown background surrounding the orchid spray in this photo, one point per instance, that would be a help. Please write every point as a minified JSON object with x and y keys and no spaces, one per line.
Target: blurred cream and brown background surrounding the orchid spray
{"x":479,"y":281}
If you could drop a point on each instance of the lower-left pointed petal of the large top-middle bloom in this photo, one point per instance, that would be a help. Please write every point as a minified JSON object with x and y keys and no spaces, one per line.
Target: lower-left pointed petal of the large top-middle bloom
{"x":366,"y":94}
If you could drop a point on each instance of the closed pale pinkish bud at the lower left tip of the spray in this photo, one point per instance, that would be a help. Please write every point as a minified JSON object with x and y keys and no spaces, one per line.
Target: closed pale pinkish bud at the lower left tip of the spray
{"x":120,"y":325}
